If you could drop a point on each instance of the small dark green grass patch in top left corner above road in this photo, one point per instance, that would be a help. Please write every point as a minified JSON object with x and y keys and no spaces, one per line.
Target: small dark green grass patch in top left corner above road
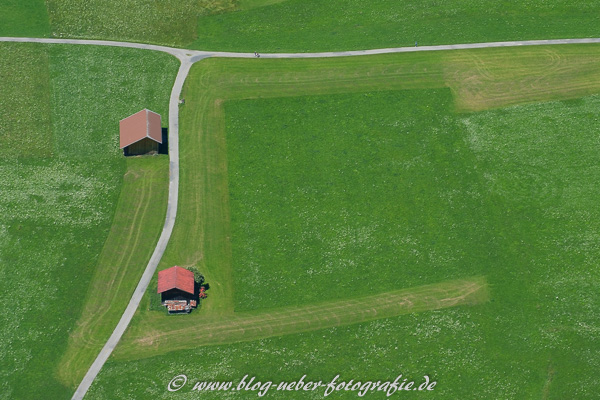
{"x":24,"y":18}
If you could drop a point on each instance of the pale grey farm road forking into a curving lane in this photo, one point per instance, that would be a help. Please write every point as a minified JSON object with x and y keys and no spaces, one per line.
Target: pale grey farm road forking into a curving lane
{"x":187,"y":59}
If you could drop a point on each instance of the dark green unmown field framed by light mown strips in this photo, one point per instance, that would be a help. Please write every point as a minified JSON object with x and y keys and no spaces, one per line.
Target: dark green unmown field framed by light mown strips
{"x":345,"y":195}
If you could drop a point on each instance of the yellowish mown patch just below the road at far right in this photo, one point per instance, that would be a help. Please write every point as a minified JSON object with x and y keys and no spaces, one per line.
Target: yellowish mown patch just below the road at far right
{"x":503,"y":77}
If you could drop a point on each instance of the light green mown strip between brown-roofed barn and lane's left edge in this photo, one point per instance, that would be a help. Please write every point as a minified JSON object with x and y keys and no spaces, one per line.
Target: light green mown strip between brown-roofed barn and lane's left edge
{"x":137,"y":223}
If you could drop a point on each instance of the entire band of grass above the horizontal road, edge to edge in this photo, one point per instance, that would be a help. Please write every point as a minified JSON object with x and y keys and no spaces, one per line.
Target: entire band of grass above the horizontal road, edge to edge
{"x":299,"y":25}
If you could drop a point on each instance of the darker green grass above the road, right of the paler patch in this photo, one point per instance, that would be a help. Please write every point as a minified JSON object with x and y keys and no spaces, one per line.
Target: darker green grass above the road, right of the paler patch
{"x":313,"y":25}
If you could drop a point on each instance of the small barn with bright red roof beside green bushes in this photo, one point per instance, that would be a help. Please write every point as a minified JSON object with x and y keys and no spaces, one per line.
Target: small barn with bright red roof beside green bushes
{"x":177,"y":288}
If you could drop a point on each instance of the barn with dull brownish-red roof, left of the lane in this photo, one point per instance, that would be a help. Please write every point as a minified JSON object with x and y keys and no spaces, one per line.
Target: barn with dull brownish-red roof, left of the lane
{"x":140,"y":133}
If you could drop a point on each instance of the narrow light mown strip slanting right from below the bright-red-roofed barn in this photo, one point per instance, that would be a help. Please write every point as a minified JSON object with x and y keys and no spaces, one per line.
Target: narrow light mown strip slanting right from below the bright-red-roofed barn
{"x":253,"y":326}
